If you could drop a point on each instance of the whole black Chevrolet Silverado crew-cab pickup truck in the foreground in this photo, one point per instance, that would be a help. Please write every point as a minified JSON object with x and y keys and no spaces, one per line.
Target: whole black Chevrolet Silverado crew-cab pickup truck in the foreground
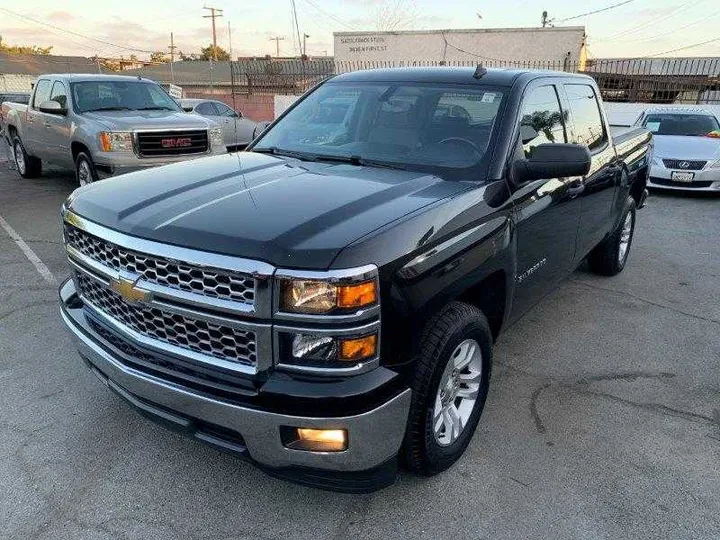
{"x":325,"y":304}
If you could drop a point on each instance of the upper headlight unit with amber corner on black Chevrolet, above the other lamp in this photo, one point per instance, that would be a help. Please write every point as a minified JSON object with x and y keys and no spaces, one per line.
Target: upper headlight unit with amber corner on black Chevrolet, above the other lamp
{"x":323,"y":297}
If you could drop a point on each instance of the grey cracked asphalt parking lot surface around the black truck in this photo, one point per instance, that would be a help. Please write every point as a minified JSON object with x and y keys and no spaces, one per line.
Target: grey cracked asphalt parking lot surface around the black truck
{"x":603,"y":419}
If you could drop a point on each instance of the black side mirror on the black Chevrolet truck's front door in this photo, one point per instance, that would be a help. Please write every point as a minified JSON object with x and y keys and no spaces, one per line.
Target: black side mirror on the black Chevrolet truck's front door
{"x":553,"y":161}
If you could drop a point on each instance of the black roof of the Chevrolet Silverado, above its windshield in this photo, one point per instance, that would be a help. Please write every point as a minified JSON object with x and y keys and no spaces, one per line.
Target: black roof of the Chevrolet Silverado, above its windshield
{"x":456,"y":75}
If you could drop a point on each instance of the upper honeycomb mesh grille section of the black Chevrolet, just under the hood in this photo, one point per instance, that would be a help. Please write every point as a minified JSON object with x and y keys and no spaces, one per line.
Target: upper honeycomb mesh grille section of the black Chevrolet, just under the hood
{"x":200,"y":280}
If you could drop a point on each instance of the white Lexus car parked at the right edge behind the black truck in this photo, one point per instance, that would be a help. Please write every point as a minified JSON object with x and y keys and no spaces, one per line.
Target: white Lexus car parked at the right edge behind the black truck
{"x":686,"y":149}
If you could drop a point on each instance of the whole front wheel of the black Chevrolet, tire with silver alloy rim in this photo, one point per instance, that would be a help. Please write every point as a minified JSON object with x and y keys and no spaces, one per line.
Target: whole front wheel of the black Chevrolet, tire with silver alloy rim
{"x":429,"y":446}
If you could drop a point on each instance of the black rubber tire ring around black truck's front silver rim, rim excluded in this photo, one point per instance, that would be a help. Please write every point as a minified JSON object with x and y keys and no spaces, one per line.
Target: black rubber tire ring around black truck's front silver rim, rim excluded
{"x":441,"y":457}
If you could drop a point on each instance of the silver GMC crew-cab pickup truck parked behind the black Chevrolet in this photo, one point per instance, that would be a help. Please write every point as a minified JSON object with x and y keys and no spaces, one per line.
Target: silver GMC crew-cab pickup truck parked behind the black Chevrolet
{"x":104,"y":125}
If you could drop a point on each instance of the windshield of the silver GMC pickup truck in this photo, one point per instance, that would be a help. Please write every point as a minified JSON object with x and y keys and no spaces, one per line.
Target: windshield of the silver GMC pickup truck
{"x":120,"y":95}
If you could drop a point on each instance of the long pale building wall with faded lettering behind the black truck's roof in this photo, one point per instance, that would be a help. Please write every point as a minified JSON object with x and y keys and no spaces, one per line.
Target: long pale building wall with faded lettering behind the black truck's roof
{"x":513,"y":44}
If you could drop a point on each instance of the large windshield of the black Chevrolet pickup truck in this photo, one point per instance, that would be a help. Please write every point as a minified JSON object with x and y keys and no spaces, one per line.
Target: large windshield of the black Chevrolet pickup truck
{"x":416,"y":126}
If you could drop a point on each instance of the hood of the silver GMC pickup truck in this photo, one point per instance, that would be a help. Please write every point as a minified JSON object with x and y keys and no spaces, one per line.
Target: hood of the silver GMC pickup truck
{"x":139,"y":120}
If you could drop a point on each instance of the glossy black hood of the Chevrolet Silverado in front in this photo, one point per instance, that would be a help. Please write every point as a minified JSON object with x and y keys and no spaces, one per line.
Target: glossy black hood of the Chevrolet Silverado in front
{"x":288,"y":213}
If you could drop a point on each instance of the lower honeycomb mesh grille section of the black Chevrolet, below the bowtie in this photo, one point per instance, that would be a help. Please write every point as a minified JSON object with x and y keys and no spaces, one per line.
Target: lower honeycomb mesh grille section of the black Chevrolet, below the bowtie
{"x":207,"y":338}
